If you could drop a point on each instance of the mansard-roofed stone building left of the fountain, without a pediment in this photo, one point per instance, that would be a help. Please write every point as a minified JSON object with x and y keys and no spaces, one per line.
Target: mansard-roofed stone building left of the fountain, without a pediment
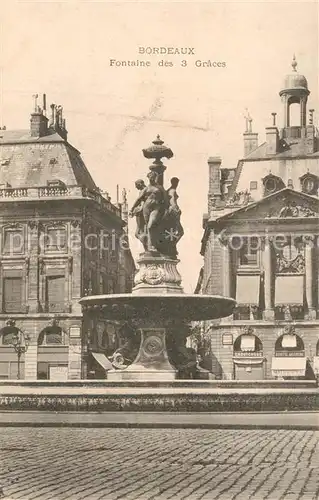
{"x":60,"y":239}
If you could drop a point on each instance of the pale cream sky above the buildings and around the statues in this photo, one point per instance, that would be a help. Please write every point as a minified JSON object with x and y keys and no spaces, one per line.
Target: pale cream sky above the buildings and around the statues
{"x":64,"y":49}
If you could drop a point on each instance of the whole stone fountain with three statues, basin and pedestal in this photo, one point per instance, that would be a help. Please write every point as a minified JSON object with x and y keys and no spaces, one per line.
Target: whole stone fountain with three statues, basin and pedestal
{"x":157,"y":307}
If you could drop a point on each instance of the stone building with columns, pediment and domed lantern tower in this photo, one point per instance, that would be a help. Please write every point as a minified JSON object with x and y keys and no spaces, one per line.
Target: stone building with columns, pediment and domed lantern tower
{"x":260,"y":246}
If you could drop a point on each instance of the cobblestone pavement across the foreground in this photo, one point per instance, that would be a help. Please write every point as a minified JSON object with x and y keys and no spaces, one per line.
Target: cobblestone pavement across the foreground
{"x":158,"y":464}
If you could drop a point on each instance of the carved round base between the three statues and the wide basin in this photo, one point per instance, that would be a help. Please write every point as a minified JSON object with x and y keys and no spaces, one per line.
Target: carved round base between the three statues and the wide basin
{"x":157,"y":274}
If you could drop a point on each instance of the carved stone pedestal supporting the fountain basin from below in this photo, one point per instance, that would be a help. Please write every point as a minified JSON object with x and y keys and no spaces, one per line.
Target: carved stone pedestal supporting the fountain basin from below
{"x":151,"y":363}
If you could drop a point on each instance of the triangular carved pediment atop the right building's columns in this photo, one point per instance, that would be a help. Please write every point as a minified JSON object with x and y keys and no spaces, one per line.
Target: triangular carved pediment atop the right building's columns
{"x":285,"y":204}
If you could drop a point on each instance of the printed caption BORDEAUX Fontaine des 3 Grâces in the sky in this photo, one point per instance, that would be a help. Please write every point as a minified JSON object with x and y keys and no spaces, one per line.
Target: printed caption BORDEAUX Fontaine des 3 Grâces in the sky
{"x":167,"y":57}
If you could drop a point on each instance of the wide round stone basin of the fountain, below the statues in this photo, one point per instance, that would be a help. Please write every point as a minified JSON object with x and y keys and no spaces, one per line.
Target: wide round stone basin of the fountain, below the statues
{"x":167,"y":307}
